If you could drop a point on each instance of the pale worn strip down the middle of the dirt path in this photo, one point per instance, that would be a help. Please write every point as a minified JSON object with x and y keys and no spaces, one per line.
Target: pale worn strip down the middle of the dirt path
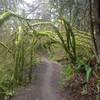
{"x":48,"y":86}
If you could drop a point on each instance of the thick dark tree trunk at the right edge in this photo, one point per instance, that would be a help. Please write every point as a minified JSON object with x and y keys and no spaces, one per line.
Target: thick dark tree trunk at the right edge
{"x":97,"y":26}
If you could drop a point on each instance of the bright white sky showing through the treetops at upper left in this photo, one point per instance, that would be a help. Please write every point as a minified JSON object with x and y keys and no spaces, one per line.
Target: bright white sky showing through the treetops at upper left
{"x":34,"y":9}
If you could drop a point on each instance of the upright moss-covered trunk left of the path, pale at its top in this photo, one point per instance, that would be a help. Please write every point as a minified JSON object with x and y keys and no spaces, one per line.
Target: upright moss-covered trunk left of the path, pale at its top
{"x":19,"y":57}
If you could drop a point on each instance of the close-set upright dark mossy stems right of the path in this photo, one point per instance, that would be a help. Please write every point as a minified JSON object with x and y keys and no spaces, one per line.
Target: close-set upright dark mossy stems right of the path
{"x":71,"y":42}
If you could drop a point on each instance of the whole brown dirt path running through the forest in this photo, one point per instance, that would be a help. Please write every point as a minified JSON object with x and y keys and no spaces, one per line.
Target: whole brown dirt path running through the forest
{"x":45,"y":87}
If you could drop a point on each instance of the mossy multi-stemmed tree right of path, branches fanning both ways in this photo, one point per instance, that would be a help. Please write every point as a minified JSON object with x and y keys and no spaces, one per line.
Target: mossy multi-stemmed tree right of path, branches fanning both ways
{"x":72,"y":40}
